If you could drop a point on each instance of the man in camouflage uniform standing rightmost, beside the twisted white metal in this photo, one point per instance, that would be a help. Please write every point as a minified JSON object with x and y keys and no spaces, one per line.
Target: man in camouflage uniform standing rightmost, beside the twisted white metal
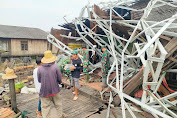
{"x":105,"y":66}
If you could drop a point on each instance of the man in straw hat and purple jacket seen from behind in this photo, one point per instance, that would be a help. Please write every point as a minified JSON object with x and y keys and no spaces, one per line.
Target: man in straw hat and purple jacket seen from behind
{"x":49,"y":76}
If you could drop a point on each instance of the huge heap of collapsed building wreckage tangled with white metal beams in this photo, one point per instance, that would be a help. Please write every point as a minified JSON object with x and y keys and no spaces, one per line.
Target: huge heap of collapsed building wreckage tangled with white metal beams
{"x":142,"y":42}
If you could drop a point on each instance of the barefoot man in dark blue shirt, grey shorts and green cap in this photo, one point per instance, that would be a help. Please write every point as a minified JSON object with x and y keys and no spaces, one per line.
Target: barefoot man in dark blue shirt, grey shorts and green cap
{"x":75,"y":73}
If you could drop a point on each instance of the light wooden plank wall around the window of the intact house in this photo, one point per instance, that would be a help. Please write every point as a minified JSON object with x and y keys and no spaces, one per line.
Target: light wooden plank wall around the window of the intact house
{"x":35,"y":47}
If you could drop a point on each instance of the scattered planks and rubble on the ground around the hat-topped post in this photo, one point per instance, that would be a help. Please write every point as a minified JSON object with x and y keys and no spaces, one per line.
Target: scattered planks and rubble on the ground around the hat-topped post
{"x":24,"y":71}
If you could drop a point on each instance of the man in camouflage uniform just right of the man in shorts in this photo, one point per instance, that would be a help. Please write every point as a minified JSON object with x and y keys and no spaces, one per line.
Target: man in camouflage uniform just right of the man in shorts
{"x":85,"y":63}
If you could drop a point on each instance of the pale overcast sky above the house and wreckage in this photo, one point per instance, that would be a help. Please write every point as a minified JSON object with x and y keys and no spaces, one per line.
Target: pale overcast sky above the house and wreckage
{"x":43,"y":14}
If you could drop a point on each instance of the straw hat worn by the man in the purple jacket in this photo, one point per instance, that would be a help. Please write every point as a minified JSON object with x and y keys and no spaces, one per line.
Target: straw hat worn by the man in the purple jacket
{"x":48,"y":57}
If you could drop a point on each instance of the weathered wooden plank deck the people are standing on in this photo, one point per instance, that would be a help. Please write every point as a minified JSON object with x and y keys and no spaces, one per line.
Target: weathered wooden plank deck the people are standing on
{"x":84,"y":107}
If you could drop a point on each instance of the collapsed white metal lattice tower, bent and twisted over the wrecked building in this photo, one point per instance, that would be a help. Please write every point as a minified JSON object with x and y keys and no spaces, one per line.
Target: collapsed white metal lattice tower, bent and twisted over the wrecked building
{"x":140,"y":43}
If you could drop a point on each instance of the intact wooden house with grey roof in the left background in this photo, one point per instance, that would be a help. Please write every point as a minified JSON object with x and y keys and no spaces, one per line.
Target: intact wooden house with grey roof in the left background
{"x":23,"y":41}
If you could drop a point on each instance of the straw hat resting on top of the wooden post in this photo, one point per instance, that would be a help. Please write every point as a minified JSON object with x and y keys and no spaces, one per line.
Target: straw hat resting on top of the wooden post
{"x":9,"y":74}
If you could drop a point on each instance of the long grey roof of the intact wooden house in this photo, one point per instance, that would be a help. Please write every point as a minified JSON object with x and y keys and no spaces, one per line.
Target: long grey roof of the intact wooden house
{"x":22,"y":32}
